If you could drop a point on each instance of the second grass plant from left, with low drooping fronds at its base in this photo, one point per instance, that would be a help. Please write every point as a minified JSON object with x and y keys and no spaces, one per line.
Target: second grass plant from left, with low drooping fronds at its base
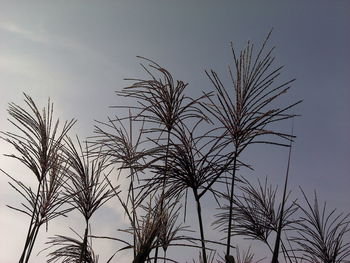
{"x":87,"y":190}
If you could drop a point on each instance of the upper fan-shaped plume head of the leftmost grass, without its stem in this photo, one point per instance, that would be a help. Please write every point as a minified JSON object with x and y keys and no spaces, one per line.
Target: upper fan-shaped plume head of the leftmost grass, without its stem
{"x":40,"y":140}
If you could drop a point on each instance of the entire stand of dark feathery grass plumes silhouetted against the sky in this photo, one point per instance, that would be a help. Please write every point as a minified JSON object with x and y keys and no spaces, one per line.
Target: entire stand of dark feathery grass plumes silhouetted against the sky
{"x":167,"y":146}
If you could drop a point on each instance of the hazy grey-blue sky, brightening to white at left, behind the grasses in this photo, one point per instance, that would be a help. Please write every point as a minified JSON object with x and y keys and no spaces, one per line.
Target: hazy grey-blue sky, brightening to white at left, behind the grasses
{"x":78,"y":53}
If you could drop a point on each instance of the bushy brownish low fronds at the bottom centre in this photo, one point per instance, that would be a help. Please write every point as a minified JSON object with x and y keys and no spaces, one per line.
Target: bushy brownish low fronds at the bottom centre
{"x":156,"y":225}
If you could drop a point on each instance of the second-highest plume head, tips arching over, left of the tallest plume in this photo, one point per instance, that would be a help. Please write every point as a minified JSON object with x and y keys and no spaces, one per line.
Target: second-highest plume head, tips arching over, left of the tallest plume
{"x":161,"y":100}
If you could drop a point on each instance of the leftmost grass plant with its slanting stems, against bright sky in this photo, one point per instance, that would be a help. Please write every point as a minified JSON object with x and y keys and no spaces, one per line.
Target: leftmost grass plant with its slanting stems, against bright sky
{"x":39,"y":147}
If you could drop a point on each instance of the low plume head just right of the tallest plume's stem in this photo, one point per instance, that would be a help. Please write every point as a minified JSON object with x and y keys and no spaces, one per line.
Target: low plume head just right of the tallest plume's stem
{"x":255,"y":212}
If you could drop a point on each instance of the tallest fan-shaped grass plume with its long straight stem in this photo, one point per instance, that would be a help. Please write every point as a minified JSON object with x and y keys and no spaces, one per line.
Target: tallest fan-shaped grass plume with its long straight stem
{"x":247,"y":113}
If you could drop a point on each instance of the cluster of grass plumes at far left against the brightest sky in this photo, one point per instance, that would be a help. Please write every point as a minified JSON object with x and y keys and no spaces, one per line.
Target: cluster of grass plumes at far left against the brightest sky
{"x":66,"y":178}
